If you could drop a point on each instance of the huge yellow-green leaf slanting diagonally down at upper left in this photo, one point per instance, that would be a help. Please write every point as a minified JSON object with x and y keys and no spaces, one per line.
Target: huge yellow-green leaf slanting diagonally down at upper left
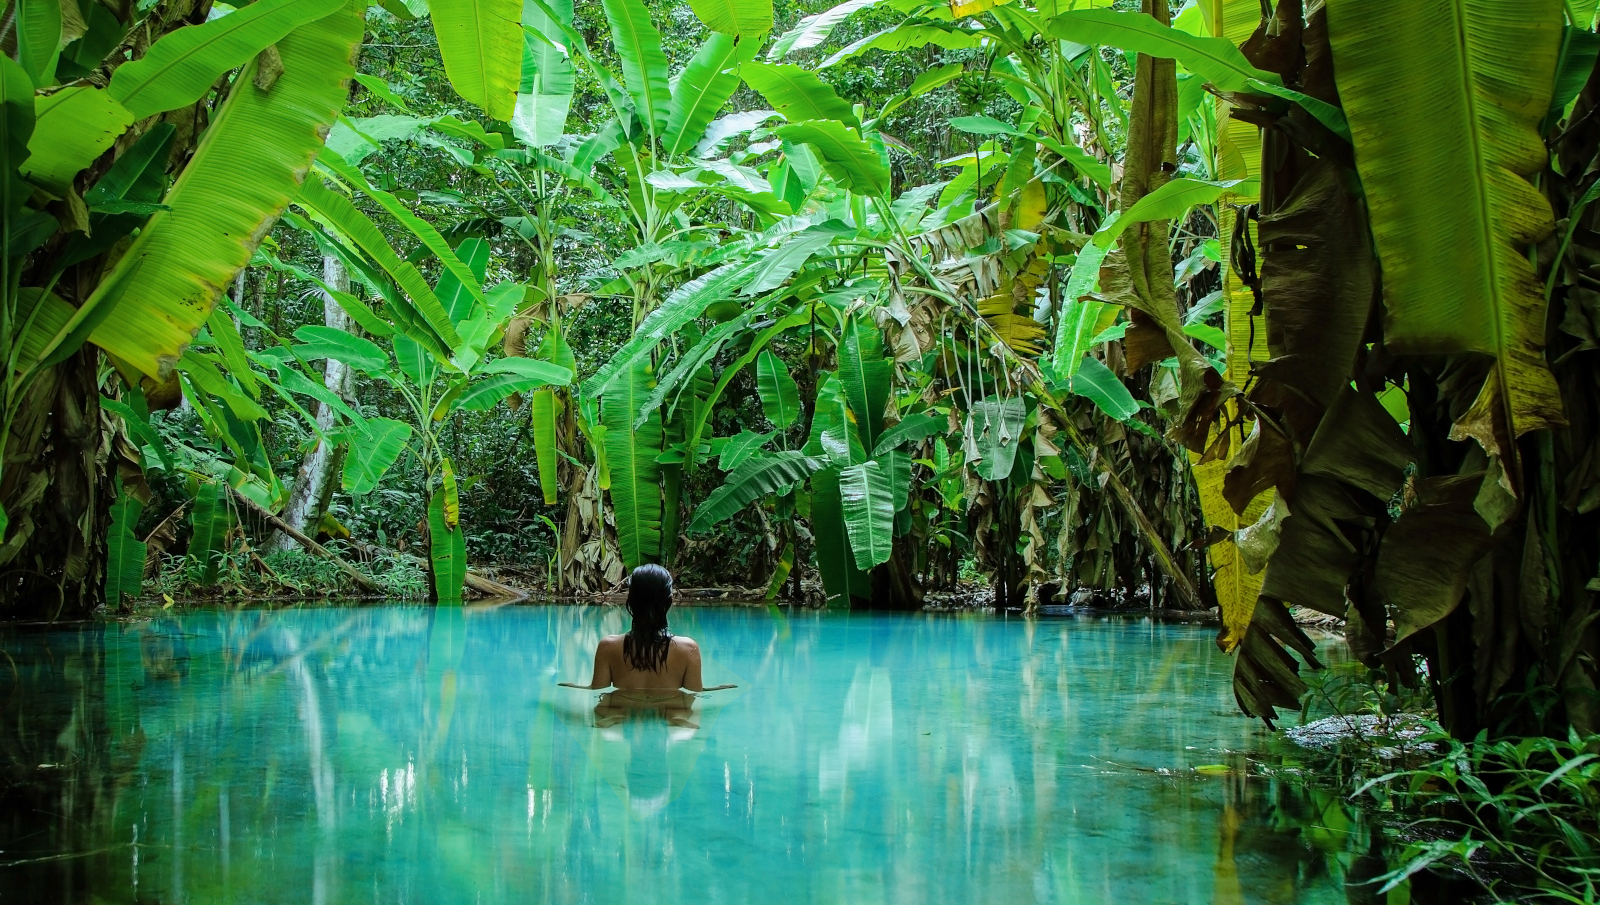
{"x":244,"y":173}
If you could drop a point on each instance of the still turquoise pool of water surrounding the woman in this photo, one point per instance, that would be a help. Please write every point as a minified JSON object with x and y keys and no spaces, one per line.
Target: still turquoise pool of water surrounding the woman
{"x":409,"y":754}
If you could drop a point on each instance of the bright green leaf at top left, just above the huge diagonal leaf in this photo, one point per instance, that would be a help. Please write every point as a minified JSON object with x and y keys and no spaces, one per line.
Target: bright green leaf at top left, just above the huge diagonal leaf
{"x":185,"y":65}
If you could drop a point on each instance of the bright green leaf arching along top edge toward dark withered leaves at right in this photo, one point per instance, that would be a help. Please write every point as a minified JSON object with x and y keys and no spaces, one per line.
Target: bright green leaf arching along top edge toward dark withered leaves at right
{"x":1215,"y":60}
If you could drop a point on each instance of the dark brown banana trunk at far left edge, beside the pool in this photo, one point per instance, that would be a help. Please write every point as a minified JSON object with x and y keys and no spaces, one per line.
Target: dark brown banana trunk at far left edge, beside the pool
{"x":57,"y":495}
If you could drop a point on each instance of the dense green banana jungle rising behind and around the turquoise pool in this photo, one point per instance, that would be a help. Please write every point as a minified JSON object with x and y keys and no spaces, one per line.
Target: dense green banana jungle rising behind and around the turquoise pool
{"x":1154,"y":301}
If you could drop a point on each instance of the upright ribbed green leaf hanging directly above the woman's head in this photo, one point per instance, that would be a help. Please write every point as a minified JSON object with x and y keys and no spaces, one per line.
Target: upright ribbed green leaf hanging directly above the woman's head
{"x":636,"y":477}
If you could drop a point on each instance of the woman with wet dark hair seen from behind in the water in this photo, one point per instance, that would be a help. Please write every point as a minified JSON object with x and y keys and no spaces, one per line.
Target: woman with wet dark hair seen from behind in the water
{"x":649,"y":658}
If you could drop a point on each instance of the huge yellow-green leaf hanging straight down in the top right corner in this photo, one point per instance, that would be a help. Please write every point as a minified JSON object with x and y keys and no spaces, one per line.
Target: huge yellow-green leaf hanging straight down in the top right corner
{"x":1452,"y":205}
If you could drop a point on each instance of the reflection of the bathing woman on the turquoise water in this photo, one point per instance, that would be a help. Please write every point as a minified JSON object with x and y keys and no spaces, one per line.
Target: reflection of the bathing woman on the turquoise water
{"x":652,"y":725}
